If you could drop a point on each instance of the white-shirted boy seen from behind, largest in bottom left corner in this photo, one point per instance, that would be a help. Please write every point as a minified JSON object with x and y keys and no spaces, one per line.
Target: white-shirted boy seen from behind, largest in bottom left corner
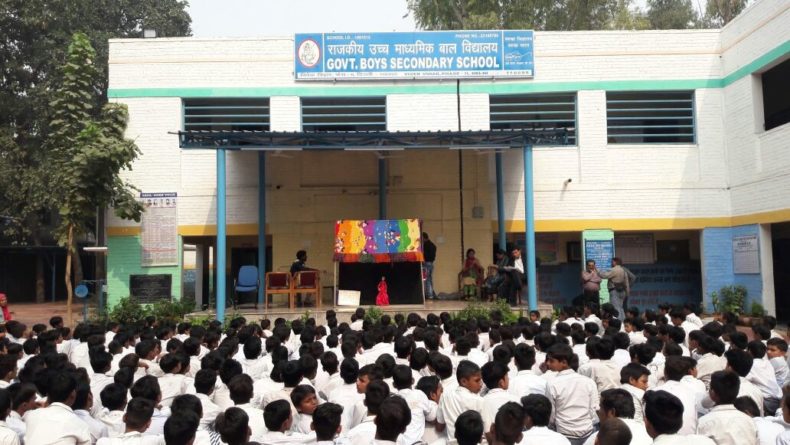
{"x":57,"y":423}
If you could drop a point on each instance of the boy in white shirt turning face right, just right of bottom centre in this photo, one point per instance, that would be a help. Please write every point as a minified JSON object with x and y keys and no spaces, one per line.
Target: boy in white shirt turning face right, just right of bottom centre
{"x":466,"y":396}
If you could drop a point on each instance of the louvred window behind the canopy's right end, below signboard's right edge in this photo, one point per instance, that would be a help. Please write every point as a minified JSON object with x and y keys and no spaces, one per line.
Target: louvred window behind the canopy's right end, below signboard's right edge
{"x":538,"y":112}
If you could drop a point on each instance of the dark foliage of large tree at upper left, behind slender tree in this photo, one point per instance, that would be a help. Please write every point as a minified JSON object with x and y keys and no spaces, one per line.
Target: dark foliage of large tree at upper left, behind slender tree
{"x":34,"y":36}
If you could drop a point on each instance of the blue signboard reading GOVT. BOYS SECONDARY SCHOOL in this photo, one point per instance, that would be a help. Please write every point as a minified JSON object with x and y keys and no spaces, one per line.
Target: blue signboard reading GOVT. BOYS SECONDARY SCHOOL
{"x":414,"y":55}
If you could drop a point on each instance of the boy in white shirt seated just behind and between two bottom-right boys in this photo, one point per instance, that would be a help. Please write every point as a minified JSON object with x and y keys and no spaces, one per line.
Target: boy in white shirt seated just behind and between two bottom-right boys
{"x":678,"y":371}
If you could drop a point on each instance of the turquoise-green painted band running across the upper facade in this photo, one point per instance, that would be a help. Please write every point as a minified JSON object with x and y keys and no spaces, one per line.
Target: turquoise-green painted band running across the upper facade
{"x":449,"y":87}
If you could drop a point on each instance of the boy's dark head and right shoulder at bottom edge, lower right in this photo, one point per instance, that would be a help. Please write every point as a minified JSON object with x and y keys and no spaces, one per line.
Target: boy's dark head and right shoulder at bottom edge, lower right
{"x":663,"y":419}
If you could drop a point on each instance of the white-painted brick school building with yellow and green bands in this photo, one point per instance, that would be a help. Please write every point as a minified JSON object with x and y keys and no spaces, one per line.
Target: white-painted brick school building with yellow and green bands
{"x":676,"y":140}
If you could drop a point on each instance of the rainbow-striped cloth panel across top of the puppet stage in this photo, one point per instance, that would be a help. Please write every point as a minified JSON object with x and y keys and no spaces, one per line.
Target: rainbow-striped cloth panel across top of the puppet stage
{"x":378,"y":241}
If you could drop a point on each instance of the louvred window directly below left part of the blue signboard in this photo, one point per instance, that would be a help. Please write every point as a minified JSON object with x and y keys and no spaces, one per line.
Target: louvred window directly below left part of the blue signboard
{"x":344,"y":113}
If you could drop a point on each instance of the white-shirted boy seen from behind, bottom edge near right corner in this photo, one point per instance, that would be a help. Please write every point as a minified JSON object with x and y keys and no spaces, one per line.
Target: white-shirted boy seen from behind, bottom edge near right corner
{"x":725,"y":424}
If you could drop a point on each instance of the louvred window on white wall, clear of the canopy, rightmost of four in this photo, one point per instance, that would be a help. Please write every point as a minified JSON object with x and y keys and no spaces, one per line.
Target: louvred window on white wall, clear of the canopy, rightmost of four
{"x":645,"y":117}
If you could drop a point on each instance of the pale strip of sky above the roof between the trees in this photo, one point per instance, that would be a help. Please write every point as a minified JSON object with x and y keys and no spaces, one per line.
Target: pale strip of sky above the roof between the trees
{"x":250,"y":18}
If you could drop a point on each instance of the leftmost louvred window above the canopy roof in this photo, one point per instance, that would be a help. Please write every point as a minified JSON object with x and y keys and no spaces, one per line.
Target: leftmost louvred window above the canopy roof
{"x":227,"y":114}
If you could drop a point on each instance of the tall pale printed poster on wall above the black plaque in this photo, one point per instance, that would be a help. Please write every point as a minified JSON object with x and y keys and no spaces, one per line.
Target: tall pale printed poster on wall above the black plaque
{"x":159,"y":229}
